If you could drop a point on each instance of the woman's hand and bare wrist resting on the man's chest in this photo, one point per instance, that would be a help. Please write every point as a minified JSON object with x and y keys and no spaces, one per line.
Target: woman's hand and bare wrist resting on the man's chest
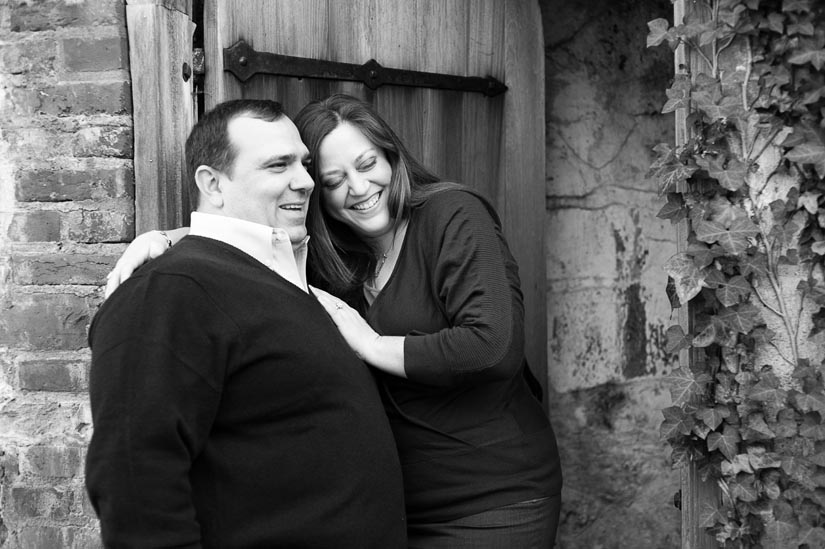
{"x":383,"y":352}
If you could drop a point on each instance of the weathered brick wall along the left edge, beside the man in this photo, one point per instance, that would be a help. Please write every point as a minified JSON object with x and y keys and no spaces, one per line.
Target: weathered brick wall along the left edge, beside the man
{"x":66,"y":201}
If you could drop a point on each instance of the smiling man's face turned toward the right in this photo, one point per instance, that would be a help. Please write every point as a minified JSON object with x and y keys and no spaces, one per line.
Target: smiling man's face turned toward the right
{"x":268,"y":182}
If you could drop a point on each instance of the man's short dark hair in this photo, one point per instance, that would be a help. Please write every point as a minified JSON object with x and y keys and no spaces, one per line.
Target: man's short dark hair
{"x":208,"y":143}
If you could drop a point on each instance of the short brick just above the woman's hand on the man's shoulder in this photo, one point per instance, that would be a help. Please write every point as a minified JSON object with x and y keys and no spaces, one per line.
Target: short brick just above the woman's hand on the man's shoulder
{"x":115,"y":223}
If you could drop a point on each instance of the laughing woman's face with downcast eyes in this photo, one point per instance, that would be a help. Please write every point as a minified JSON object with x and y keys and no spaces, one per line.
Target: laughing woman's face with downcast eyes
{"x":354,"y":175}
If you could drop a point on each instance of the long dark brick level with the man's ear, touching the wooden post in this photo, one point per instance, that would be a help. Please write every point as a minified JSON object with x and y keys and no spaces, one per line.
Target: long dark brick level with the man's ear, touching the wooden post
{"x":57,"y":185}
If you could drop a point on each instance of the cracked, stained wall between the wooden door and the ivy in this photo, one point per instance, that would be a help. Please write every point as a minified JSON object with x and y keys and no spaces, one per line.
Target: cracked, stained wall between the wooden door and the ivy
{"x":606,"y":302}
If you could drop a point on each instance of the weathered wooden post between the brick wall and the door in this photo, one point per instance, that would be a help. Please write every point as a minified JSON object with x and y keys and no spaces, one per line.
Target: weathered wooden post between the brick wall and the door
{"x":160,"y":42}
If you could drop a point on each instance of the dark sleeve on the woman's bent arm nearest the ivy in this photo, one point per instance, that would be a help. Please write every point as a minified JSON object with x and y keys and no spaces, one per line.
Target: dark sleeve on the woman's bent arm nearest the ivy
{"x":471,"y":283}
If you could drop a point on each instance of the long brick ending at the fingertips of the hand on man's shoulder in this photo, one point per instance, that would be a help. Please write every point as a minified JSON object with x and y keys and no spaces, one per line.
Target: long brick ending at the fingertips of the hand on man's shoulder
{"x":56,"y":269}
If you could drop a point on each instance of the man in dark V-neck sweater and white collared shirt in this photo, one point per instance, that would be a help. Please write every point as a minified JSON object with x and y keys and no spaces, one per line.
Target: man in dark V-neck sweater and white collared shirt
{"x":228,"y":411}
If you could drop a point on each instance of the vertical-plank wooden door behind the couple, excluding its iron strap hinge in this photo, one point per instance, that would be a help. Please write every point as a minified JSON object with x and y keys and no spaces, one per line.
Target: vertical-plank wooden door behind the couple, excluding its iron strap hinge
{"x":495,"y":144}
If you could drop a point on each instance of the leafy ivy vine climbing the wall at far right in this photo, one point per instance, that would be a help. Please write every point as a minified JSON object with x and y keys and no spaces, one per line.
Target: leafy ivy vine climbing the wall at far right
{"x":749,"y":185}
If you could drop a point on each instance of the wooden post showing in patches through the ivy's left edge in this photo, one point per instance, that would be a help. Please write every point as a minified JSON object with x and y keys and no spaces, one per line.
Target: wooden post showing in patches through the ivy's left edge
{"x":697,"y":495}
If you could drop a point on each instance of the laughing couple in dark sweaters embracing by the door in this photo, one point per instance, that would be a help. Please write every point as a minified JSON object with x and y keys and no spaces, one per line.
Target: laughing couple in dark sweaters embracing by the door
{"x":229,"y":407}
